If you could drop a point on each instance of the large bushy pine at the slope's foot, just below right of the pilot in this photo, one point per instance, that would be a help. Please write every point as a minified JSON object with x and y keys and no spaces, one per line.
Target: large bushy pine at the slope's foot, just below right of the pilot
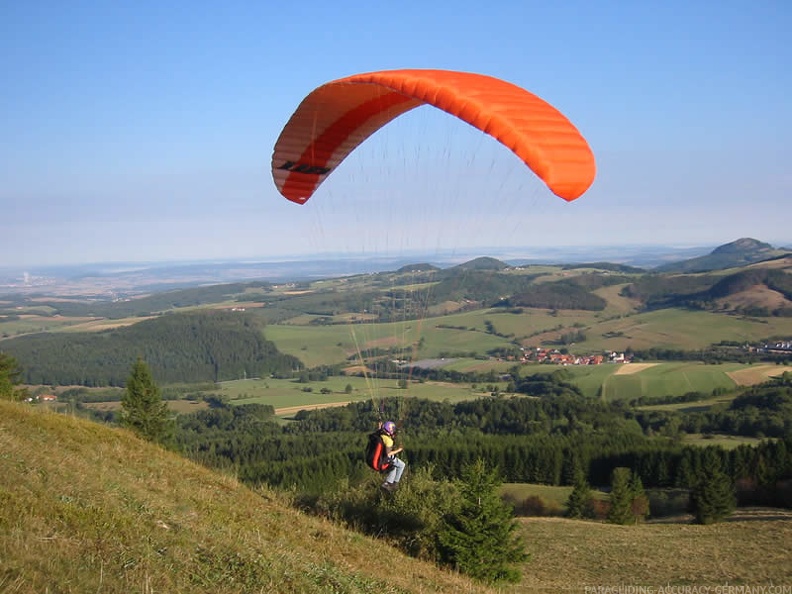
{"x":479,"y":538}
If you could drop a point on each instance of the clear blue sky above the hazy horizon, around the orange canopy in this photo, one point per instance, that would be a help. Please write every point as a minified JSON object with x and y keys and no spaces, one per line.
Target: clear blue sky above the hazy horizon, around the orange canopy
{"x":143,"y":131}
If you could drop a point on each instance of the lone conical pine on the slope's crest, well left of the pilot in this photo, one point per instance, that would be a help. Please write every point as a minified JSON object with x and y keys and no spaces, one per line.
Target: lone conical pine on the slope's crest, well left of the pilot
{"x":142,"y":407}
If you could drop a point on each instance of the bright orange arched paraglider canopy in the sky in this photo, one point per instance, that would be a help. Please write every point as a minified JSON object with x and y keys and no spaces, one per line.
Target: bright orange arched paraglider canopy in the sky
{"x":336,"y":117}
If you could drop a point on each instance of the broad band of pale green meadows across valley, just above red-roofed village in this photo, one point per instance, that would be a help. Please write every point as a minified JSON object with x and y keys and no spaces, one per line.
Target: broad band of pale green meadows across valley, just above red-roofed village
{"x":467,"y":332}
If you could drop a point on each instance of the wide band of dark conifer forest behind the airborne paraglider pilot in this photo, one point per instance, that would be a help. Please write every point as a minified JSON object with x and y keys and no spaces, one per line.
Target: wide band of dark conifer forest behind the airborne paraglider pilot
{"x":548,"y":440}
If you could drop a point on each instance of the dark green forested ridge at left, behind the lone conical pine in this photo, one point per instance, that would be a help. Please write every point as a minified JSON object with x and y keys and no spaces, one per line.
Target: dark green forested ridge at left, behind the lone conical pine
{"x":180,"y":348}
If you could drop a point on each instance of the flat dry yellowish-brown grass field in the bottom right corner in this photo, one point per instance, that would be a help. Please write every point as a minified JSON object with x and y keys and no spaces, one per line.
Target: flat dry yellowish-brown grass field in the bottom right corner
{"x":568,"y":555}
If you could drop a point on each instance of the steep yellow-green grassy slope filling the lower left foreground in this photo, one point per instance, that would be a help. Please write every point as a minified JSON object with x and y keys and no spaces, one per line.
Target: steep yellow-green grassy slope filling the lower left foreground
{"x":86,"y":508}
